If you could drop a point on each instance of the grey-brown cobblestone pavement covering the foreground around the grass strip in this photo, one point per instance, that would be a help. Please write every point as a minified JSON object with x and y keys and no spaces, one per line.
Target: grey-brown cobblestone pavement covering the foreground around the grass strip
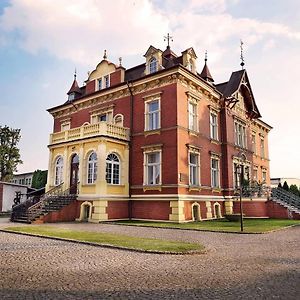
{"x":265,"y":266}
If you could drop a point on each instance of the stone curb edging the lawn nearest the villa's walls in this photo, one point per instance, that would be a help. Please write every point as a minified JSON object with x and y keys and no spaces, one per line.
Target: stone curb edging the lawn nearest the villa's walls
{"x":201,"y":230}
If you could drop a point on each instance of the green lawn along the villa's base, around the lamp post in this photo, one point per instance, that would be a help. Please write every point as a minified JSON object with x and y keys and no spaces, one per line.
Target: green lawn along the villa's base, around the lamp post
{"x":250,"y":225}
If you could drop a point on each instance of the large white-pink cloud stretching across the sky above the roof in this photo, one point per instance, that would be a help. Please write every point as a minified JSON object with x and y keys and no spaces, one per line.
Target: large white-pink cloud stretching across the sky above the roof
{"x":80,"y":30}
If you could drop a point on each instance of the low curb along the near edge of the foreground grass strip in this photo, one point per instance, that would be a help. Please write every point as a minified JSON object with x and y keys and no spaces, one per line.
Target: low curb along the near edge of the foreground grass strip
{"x":106,"y":245}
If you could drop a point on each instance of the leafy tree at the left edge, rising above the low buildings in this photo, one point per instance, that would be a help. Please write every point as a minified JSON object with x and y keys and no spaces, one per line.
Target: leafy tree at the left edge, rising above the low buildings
{"x":9,"y":152}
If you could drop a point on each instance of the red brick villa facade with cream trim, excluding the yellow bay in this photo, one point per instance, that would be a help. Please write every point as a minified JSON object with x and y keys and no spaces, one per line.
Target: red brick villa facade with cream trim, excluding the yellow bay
{"x":176,"y":88}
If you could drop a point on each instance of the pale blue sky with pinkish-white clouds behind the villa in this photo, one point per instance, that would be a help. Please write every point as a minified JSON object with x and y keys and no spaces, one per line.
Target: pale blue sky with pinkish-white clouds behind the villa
{"x":42,"y":42}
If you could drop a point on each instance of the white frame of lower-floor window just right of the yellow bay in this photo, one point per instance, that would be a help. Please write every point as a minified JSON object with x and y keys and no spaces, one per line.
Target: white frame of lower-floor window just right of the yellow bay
{"x":148,"y":165}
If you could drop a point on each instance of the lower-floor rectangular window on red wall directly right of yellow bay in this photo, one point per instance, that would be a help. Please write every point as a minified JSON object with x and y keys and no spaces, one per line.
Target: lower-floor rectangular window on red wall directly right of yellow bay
{"x":152,"y":168}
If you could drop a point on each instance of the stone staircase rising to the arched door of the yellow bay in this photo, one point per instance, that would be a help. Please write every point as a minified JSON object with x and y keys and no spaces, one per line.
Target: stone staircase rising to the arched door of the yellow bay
{"x":35,"y":207}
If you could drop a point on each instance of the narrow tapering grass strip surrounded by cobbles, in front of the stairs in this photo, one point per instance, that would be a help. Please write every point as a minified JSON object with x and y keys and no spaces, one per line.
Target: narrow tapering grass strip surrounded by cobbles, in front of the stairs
{"x":146,"y":244}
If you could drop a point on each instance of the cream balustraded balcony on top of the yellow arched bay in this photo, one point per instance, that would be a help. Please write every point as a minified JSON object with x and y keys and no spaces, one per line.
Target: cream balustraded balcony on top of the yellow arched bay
{"x":88,"y":131}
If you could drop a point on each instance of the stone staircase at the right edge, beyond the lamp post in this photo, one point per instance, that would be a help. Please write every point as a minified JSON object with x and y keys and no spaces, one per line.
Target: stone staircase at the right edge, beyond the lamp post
{"x":286,"y":199}
